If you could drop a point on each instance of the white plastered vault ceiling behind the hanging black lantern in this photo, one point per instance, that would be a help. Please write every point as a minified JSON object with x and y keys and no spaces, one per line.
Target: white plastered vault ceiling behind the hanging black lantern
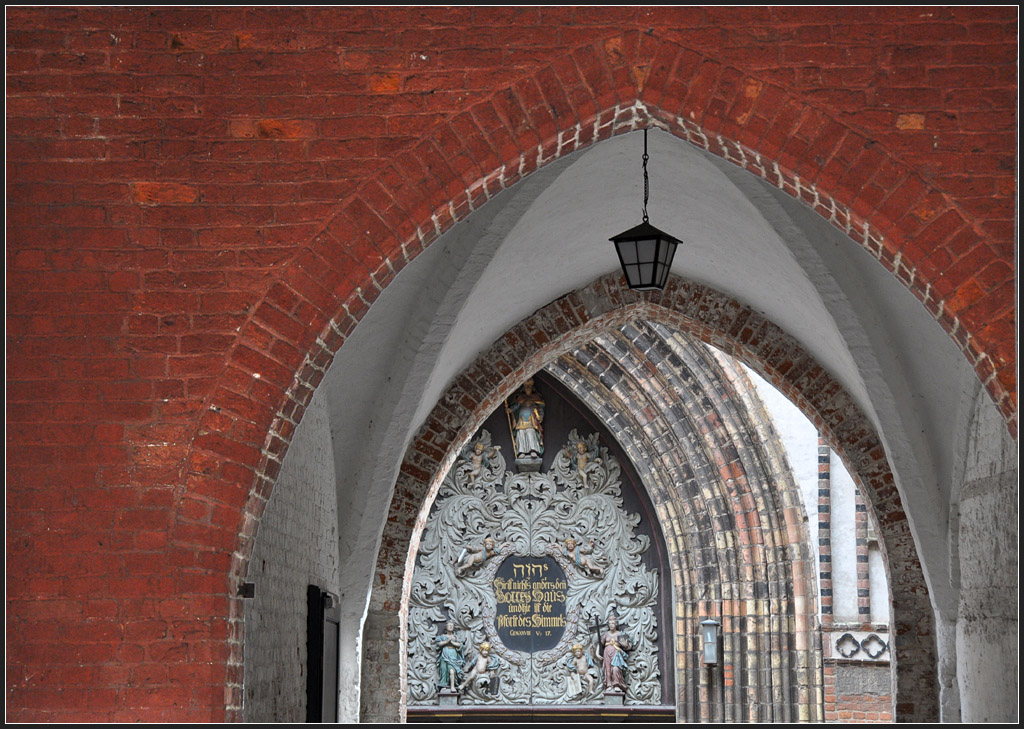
{"x":548,"y":236}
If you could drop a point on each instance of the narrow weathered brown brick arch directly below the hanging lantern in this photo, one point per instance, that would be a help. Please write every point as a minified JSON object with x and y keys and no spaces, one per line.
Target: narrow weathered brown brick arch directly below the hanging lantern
{"x":713,"y":318}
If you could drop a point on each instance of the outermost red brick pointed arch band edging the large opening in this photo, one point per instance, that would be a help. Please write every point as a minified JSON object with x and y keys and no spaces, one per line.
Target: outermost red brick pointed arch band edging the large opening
{"x":589,"y":95}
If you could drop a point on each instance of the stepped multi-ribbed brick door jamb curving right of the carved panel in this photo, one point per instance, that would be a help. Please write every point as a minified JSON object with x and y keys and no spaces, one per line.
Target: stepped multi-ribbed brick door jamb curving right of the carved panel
{"x":703,"y":457}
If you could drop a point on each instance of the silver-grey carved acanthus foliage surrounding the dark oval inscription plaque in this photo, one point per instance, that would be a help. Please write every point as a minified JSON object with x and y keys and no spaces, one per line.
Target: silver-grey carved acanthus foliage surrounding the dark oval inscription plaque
{"x":573,"y":514}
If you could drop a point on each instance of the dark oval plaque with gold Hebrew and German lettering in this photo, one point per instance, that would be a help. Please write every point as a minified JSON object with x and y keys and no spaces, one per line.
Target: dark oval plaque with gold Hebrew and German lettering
{"x":530,"y":594}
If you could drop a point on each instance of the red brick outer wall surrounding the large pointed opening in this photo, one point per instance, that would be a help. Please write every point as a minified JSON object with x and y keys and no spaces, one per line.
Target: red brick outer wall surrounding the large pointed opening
{"x":188,"y":191}
